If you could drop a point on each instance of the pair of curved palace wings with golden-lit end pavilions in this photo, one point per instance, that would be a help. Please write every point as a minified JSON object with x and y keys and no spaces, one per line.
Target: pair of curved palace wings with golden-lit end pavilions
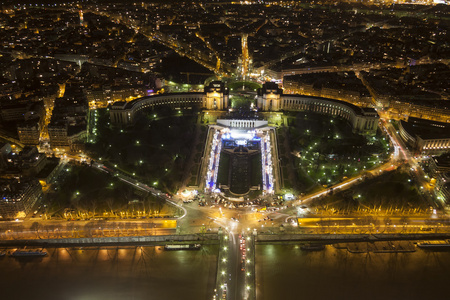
{"x":270,"y":98}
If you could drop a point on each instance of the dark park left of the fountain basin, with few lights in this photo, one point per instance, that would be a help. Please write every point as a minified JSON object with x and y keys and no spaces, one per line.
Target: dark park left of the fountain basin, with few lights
{"x":157,"y":149}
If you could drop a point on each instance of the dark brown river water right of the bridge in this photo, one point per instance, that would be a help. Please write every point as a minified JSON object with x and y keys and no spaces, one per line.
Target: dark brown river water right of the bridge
{"x":286,"y":272}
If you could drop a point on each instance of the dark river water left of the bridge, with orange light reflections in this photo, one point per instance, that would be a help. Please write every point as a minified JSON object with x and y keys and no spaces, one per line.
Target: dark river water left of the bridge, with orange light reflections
{"x":111,"y":273}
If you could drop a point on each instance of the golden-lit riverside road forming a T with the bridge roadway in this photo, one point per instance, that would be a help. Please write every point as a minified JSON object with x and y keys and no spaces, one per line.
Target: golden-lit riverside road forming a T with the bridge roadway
{"x":235,"y":266}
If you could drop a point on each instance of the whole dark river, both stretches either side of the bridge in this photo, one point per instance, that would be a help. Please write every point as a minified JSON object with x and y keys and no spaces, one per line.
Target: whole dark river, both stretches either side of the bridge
{"x":282,"y":272}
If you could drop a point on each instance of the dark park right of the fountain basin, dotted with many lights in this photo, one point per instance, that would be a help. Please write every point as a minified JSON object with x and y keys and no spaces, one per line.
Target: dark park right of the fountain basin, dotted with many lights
{"x":327,"y":151}
